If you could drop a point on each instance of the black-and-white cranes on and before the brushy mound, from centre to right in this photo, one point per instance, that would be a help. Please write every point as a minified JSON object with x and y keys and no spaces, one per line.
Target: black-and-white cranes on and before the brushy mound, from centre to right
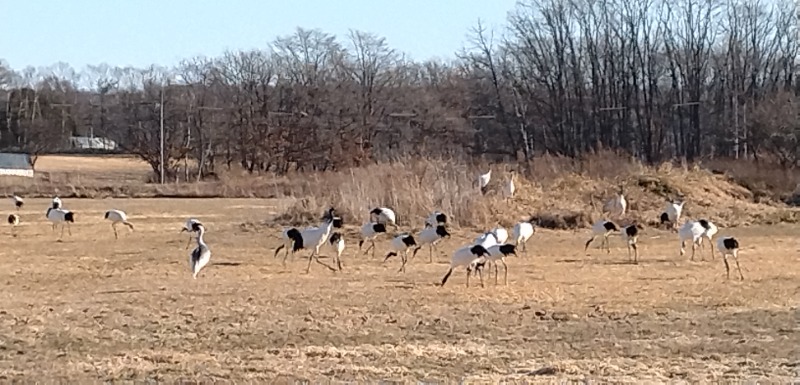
{"x":493,"y":246}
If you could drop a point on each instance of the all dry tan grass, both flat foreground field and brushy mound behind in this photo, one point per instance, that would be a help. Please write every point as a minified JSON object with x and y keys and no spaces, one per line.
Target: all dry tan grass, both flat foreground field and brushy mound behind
{"x":92,"y":308}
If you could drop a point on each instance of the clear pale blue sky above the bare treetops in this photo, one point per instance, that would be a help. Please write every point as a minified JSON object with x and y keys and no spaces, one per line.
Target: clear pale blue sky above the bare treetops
{"x":143,"y":32}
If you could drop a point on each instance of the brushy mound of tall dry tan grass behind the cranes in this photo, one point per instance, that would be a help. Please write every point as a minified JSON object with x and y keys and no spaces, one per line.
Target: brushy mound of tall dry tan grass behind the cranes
{"x":559,"y":193}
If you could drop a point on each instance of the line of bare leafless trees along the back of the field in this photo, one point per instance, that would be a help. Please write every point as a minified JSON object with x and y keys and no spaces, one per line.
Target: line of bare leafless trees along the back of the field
{"x":660,"y":80}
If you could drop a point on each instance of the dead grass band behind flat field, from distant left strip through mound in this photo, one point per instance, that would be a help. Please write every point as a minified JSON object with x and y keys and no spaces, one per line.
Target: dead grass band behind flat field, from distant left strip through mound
{"x":560,"y":193}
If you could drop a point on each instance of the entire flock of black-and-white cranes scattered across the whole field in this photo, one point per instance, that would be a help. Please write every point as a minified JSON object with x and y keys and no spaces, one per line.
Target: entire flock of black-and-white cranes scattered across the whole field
{"x":489,"y":248}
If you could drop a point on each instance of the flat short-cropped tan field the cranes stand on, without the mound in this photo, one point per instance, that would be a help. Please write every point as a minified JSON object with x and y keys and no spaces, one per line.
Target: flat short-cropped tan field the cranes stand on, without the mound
{"x":92,"y":308}
